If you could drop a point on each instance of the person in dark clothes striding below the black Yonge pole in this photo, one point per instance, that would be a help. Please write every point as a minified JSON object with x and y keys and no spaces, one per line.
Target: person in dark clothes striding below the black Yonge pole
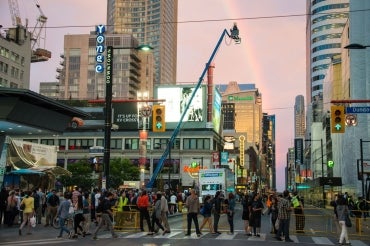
{"x":106,"y":215}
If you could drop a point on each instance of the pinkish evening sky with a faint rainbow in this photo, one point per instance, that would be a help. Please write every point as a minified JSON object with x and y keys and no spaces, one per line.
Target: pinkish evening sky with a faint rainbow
{"x":271,"y":54}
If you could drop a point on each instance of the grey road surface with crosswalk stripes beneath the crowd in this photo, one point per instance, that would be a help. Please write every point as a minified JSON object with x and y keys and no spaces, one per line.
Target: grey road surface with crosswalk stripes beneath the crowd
{"x":314,"y":235}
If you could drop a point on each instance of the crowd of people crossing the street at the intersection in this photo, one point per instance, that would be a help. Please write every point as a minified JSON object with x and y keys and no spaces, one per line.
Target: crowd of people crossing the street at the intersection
{"x":96,"y":207}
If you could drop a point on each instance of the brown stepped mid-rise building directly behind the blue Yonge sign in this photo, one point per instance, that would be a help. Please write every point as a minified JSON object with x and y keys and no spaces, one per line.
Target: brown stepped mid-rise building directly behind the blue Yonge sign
{"x":79,"y":80}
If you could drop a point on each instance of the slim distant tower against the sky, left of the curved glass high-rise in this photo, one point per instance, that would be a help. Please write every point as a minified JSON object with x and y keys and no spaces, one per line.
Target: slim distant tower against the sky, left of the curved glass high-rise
{"x":299,"y":117}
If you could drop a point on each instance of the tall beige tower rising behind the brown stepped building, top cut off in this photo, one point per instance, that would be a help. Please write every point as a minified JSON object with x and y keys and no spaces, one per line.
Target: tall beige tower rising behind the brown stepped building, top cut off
{"x":152,"y":23}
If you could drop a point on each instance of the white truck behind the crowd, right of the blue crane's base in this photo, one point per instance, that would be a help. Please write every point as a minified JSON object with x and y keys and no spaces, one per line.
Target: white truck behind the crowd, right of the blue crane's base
{"x":212,"y":180}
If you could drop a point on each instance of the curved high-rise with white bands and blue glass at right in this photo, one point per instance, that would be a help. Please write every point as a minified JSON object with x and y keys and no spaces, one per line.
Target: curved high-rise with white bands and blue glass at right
{"x":325,"y":23}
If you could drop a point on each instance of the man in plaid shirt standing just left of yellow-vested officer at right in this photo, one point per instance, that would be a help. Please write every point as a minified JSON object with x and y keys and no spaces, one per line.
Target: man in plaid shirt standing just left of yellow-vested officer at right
{"x":284,"y":210}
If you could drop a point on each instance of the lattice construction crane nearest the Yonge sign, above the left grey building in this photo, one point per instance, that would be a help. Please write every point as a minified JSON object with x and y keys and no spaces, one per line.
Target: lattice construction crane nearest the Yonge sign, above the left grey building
{"x":39,"y":54}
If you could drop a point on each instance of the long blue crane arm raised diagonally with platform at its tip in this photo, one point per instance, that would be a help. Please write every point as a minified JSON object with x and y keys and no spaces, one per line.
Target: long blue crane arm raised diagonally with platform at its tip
{"x":177,"y":129}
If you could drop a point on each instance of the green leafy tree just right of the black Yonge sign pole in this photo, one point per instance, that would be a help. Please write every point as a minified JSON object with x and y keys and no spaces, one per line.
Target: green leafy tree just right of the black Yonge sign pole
{"x":121,"y":170}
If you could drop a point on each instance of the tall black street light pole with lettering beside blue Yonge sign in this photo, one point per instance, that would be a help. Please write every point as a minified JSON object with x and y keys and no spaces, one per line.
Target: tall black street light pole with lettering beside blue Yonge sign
{"x":108,"y":106}
